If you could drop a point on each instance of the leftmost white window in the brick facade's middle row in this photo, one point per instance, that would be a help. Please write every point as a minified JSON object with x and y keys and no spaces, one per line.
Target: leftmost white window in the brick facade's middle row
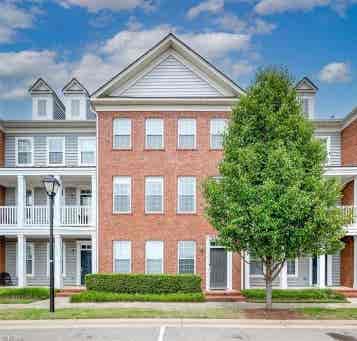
{"x":122,"y":194}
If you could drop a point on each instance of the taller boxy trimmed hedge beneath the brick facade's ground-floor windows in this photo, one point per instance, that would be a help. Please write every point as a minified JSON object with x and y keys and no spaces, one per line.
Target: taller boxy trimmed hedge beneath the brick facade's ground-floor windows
{"x":143,"y":284}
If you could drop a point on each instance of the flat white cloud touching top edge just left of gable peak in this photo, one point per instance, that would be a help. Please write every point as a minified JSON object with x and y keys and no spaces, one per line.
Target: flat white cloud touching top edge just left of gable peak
{"x":113,"y":5}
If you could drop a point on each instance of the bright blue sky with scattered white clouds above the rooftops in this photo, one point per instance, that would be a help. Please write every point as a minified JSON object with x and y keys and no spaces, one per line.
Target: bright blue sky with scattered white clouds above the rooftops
{"x":93,"y":40}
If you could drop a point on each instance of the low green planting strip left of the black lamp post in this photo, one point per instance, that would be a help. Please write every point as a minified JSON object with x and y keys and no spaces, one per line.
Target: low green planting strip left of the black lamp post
{"x":22,"y":295}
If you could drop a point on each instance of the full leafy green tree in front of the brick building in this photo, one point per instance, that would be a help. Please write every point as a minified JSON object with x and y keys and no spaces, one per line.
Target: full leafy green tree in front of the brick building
{"x":272,"y":200}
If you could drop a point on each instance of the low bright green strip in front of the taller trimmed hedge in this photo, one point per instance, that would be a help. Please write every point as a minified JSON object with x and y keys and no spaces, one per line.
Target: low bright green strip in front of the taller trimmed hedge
{"x":102,"y":296}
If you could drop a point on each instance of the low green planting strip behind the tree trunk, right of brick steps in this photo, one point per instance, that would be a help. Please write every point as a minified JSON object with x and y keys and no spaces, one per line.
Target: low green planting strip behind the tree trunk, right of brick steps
{"x":296,"y":296}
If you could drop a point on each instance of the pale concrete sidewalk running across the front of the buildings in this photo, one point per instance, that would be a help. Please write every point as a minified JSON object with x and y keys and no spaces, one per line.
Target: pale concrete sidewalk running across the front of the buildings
{"x":63,"y":302}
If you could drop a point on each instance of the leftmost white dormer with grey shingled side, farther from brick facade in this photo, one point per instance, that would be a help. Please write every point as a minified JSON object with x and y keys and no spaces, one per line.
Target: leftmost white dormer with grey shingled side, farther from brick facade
{"x":45,"y":103}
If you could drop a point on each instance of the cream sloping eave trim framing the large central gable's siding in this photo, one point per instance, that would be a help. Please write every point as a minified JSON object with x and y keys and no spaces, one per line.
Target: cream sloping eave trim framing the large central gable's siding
{"x":184,"y":51}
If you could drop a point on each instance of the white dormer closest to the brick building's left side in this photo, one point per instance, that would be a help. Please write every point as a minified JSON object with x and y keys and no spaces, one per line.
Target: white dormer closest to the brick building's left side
{"x":76,"y":100}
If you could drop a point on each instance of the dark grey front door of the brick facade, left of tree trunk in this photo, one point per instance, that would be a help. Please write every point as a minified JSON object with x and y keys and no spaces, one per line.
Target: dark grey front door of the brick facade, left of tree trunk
{"x":218,"y":268}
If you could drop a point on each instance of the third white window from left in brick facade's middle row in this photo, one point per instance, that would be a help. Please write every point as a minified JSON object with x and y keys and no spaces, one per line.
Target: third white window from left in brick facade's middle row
{"x":186,"y":194}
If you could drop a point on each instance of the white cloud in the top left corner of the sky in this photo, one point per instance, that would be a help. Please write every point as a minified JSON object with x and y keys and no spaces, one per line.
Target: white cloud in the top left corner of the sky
{"x":13,"y":18}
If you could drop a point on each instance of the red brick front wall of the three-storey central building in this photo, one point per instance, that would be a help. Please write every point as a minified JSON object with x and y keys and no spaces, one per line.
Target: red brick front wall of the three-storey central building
{"x":170,"y":163}
